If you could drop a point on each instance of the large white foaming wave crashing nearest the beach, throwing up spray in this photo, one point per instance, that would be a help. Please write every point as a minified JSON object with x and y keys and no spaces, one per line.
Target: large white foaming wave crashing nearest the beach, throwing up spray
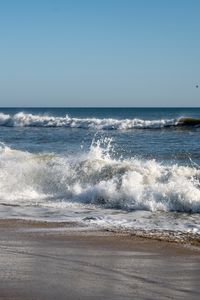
{"x":96,"y":179}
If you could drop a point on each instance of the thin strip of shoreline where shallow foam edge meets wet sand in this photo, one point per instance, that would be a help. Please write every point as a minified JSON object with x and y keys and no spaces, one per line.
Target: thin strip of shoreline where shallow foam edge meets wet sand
{"x":181,"y":238}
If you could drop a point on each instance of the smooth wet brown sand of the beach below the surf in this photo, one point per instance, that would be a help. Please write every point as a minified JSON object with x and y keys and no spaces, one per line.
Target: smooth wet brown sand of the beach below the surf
{"x":61,"y":261}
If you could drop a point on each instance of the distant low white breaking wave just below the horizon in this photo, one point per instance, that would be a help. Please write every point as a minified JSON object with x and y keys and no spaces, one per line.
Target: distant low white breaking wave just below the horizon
{"x":30,"y":120}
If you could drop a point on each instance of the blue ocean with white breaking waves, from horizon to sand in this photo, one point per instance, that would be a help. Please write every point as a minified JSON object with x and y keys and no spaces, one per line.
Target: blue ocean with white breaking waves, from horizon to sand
{"x":122,"y":169}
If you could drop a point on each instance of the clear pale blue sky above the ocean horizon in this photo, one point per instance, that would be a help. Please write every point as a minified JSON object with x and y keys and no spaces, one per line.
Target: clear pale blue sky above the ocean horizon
{"x":99,"y":52}
